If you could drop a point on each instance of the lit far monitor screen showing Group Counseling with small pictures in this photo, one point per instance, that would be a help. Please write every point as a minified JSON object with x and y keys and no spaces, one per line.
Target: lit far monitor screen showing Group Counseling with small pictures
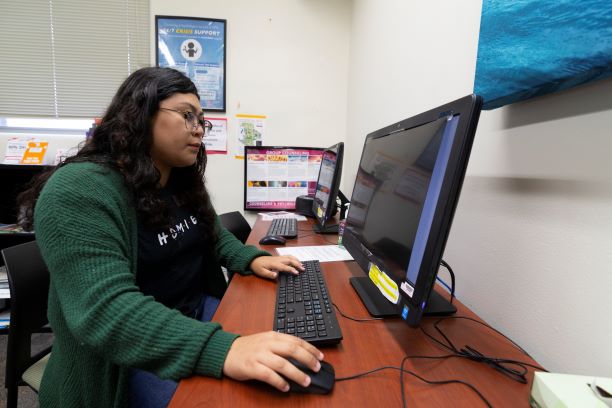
{"x":274,"y":176}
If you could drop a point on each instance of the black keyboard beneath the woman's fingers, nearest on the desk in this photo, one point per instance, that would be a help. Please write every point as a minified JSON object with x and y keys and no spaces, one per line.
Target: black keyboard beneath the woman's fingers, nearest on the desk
{"x":304,"y":308}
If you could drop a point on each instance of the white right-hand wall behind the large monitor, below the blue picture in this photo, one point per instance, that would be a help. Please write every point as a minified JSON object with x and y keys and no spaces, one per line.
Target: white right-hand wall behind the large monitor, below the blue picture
{"x":530,"y":243}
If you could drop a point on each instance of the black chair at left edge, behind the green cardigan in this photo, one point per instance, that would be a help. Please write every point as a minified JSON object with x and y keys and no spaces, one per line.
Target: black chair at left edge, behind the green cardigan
{"x":29,"y":284}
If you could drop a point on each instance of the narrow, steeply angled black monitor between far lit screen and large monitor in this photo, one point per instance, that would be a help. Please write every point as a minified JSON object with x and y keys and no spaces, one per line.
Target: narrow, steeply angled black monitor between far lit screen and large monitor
{"x":327,"y":188}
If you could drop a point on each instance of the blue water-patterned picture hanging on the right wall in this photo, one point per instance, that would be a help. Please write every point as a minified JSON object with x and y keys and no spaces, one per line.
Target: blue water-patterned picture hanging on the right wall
{"x":529,"y":48}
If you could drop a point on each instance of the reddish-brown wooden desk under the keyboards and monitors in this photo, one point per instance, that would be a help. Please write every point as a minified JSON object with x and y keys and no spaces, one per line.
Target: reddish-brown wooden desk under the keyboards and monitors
{"x":248,"y":307}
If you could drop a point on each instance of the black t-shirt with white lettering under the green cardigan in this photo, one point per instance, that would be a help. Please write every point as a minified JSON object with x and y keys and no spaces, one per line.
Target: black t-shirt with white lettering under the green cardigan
{"x":173,"y":262}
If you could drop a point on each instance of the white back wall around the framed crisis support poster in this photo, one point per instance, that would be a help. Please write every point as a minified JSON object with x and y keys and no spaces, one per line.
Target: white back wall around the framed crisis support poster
{"x":286,"y":59}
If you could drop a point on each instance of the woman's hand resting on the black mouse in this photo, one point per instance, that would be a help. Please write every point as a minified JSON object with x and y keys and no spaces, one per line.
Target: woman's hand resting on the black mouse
{"x":263,"y":357}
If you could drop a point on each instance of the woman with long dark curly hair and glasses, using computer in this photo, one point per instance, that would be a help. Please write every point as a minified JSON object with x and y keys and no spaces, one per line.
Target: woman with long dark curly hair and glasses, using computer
{"x":134,"y":250}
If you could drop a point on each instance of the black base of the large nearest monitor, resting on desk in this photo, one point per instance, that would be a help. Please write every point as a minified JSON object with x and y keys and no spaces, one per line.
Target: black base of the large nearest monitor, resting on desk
{"x":379,"y":306}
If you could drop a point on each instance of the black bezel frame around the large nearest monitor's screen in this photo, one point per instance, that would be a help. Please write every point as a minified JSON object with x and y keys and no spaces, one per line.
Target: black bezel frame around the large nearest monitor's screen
{"x":468,"y":108}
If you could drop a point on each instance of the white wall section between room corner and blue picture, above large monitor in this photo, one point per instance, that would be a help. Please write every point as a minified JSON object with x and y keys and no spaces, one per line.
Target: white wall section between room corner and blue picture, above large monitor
{"x":401,"y":53}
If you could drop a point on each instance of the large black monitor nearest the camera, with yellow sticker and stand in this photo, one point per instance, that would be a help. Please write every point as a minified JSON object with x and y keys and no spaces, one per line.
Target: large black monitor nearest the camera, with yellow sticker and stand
{"x":405,"y":194}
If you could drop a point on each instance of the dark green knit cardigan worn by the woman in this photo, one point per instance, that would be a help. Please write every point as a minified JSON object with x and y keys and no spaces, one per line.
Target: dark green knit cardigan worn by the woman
{"x":86,"y":228}
